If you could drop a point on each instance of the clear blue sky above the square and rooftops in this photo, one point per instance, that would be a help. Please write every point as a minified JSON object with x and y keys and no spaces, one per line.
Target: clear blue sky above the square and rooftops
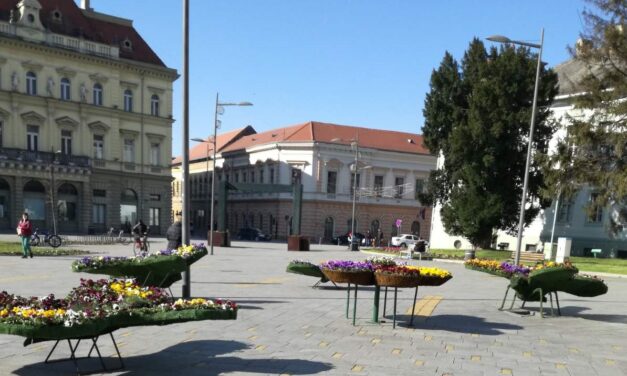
{"x":352,"y":62}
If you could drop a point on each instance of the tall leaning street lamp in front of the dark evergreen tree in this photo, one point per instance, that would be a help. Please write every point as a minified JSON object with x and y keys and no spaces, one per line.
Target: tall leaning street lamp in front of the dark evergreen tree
{"x":521,"y":220}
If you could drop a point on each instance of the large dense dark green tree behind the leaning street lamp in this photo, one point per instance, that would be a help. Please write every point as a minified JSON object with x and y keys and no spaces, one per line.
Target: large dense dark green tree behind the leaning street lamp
{"x":477,"y":117}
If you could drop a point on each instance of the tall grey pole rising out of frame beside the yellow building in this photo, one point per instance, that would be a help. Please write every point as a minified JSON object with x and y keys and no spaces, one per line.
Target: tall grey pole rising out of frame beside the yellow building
{"x":185,"y":164}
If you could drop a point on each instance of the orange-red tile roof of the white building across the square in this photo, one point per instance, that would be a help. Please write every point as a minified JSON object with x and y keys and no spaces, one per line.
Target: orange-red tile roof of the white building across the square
{"x":325,"y":132}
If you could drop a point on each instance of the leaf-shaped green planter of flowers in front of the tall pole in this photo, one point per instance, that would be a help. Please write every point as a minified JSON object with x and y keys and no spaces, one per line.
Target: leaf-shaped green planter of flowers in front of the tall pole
{"x":161,"y":269}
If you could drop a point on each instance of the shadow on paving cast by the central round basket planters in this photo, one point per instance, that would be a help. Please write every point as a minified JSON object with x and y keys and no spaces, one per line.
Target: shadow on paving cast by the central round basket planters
{"x":458,"y":323}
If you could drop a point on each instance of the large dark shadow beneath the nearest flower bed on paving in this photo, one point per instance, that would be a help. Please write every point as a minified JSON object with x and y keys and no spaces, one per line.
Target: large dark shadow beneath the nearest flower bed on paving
{"x":189,"y":358}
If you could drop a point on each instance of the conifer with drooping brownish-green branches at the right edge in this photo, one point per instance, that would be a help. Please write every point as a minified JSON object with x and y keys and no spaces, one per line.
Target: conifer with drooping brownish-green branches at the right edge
{"x":593,"y":151}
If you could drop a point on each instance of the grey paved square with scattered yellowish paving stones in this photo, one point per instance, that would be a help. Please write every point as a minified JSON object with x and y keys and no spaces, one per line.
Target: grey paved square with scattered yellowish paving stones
{"x":286,"y":327}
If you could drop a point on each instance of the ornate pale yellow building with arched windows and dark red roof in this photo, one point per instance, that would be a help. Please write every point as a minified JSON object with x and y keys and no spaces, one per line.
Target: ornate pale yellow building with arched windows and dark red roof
{"x":85,"y":120}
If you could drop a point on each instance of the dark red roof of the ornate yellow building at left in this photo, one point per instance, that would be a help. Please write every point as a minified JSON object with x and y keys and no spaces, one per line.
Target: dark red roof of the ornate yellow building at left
{"x":75,"y":23}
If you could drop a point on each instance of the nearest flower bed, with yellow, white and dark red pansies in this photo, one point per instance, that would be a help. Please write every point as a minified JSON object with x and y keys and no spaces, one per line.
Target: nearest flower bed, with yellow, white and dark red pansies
{"x":102,"y":306}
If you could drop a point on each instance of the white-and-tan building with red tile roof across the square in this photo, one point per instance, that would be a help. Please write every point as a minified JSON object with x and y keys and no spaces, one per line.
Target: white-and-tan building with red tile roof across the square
{"x":392,"y":167}
